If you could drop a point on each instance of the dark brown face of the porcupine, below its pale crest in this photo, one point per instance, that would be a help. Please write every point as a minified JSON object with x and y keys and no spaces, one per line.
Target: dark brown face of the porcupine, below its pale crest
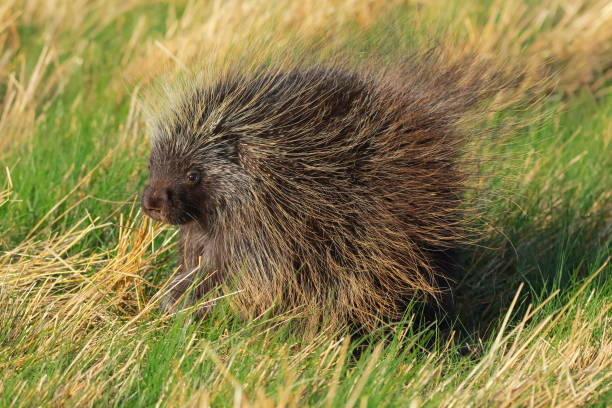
{"x":192,"y":181}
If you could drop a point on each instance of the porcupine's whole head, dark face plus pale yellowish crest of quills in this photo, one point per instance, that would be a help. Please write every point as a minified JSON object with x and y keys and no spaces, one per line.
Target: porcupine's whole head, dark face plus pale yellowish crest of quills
{"x":194,"y":168}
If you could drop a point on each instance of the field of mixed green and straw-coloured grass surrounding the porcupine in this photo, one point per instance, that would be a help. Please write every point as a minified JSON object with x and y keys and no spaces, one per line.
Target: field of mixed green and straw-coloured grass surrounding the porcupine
{"x":80,"y":266}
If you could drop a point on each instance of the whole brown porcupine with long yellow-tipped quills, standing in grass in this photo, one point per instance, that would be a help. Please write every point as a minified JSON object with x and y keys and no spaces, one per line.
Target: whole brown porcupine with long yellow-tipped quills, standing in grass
{"x":317,"y":187}
